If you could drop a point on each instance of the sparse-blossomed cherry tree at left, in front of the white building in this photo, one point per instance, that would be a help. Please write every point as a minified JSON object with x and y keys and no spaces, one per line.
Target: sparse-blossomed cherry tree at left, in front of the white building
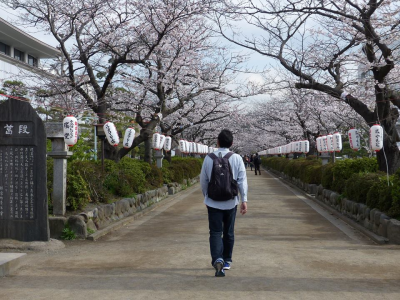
{"x":97,"y":40}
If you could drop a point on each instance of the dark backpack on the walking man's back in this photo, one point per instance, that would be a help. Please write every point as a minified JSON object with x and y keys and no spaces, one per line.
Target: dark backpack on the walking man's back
{"x":222,"y":186}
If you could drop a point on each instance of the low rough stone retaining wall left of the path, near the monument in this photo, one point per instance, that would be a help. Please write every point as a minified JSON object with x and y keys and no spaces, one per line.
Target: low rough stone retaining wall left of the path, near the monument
{"x":103,"y":215}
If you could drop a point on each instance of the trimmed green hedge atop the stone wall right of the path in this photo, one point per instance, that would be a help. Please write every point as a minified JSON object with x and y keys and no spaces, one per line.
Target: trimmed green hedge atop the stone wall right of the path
{"x":356,"y":179}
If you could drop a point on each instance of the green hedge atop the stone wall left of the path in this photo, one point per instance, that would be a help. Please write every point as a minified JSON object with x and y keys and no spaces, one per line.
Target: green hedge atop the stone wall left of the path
{"x":86,"y":182}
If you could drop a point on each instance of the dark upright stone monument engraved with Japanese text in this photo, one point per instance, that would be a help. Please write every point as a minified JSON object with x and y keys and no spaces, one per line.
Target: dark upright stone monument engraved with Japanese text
{"x":23,"y":190}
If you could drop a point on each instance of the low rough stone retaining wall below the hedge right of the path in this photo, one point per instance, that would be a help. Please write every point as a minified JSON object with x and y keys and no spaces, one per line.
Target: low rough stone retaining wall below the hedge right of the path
{"x":371,"y":219}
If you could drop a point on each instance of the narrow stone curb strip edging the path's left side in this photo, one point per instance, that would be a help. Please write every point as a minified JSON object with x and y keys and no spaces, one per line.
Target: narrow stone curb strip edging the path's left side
{"x":118,"y":224}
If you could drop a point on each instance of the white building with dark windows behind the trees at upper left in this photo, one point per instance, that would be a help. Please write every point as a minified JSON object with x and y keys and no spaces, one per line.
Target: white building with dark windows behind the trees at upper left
{"x":20,"y":51}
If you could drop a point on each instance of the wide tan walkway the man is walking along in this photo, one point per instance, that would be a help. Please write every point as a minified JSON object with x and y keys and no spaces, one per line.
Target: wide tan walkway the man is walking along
{"x":284,"y":250}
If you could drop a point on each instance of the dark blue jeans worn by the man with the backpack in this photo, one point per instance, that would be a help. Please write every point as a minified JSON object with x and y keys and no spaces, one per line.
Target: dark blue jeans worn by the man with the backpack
{"x":221,"y":224}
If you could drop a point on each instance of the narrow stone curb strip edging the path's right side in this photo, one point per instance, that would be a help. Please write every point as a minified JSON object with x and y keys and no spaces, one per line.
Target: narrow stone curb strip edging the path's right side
{"x":369,"y":234}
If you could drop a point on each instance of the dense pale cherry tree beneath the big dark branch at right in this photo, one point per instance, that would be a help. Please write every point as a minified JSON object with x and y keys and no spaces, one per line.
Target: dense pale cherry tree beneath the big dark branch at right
{"x":299,"y":115}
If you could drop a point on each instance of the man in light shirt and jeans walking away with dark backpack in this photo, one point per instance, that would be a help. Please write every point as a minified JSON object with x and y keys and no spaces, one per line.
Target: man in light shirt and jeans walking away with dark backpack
{"x":222,"y":199}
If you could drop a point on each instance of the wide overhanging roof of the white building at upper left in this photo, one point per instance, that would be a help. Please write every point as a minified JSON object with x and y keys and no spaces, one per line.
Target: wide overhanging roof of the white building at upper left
{"x":13,"y":36}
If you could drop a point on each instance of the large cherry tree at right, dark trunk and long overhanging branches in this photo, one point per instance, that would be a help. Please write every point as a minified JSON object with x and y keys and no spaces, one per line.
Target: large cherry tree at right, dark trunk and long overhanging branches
{"x":344,"y":49}
